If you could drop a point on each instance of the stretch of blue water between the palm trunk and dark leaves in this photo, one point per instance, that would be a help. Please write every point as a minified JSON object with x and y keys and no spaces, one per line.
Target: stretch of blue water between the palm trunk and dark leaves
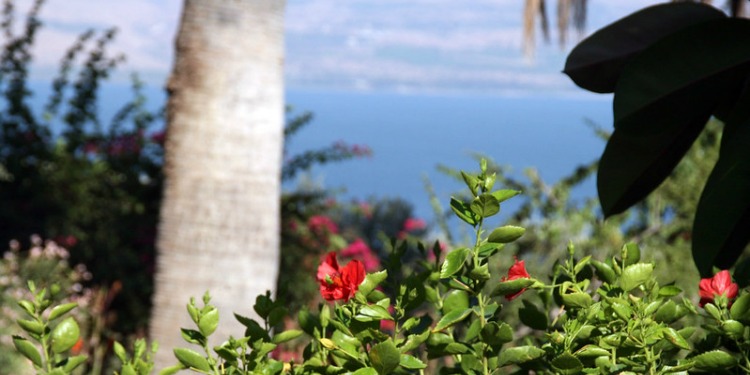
{"x":410,"y":135}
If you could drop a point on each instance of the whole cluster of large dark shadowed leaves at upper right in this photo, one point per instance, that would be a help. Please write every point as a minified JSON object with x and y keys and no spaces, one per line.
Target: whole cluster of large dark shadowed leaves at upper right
{"x":671,"y":68}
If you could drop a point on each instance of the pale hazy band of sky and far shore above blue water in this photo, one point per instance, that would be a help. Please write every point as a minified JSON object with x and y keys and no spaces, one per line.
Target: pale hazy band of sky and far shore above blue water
{"x":384,"y":45}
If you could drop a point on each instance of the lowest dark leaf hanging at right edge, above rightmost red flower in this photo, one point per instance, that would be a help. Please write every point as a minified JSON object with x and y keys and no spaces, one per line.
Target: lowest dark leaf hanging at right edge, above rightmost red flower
{"x":722,"y":220}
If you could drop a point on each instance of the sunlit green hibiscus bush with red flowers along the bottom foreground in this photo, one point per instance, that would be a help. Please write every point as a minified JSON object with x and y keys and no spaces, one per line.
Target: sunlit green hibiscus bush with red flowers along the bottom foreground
{"x":442,"y":315}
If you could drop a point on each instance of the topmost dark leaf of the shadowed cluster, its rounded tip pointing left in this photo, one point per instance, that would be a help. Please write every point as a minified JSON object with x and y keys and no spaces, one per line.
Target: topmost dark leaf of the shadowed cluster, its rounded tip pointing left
{"x":595,"y":64}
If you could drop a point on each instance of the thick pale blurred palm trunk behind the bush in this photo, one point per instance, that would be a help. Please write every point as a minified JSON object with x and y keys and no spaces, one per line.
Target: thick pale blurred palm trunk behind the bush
{"x":219,"y":225}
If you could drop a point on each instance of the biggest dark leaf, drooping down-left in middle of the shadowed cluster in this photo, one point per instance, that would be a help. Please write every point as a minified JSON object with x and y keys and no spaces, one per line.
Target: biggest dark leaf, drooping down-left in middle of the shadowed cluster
{"x":662,"y":101}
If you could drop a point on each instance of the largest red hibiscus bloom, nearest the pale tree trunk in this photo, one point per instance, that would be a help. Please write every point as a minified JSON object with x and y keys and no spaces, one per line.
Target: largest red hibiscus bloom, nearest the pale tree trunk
{"x":339,"y":283}
